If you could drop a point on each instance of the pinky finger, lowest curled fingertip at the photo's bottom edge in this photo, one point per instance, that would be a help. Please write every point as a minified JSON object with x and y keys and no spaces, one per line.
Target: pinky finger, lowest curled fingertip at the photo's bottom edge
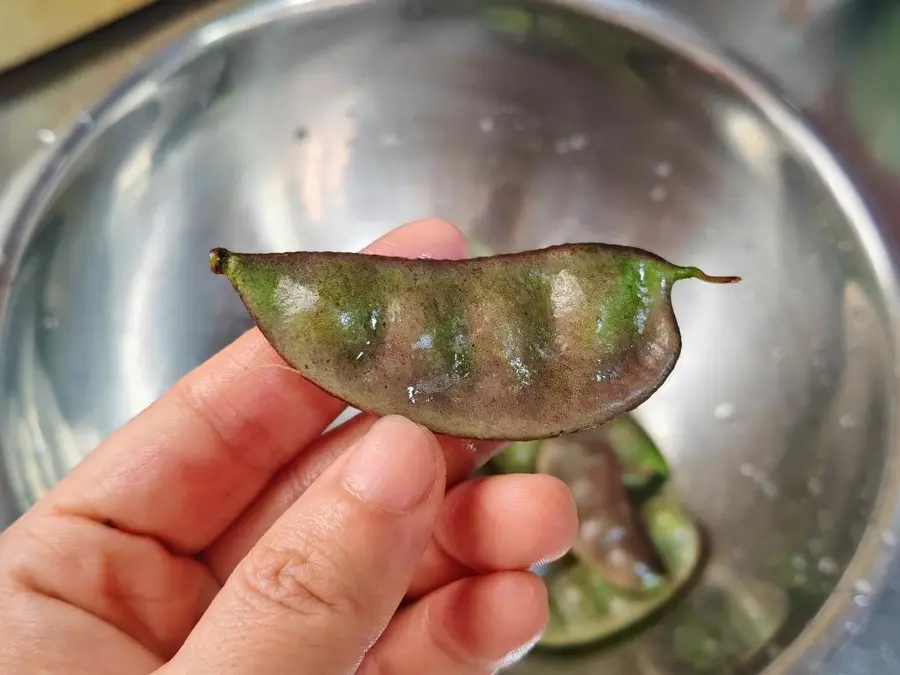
{"x":474,"y":626}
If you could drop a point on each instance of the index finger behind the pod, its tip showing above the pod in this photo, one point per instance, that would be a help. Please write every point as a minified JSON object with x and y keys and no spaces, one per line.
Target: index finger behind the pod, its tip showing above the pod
{"x":187,"y":466}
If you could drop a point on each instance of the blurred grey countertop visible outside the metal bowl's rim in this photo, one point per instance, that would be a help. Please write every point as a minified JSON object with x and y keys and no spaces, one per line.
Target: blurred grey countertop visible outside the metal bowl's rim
{"x":832,"y":59}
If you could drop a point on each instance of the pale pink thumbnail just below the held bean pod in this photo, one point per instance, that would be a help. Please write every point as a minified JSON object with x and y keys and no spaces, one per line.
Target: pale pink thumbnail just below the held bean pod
{"x":393,"y":465}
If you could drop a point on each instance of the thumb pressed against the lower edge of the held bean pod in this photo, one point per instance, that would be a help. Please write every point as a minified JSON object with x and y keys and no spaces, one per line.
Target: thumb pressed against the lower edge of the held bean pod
{"x":320,"y":586}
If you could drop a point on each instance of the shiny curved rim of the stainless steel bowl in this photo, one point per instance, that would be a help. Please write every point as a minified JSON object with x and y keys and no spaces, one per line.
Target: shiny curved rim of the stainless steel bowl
{"x":28,"y":192}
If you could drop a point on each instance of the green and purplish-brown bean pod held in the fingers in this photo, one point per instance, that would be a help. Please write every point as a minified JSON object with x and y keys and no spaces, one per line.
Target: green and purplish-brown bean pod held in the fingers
{"x":514,"y":347}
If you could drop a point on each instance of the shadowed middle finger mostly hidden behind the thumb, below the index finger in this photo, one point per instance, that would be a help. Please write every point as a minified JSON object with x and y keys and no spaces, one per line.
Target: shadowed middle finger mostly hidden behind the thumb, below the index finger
{"x":224,"y":554}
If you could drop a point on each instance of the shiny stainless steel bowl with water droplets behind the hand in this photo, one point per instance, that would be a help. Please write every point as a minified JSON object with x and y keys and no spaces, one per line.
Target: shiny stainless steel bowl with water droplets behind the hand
{"x":323,"y":124}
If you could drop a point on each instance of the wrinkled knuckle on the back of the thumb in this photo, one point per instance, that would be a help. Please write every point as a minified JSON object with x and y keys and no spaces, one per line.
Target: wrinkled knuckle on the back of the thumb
{"x":301,"y":580}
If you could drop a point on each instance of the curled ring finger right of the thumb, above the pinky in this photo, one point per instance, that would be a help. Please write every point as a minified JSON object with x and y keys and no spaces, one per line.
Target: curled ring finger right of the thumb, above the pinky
{"x":498,"y":523}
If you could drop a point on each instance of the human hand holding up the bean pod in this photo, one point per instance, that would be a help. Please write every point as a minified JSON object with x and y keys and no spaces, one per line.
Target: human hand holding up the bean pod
{"x":220,"y":531}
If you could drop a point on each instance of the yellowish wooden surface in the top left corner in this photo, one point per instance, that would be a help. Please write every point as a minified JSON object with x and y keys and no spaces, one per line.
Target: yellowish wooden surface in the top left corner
{"x":29,"y":28}
